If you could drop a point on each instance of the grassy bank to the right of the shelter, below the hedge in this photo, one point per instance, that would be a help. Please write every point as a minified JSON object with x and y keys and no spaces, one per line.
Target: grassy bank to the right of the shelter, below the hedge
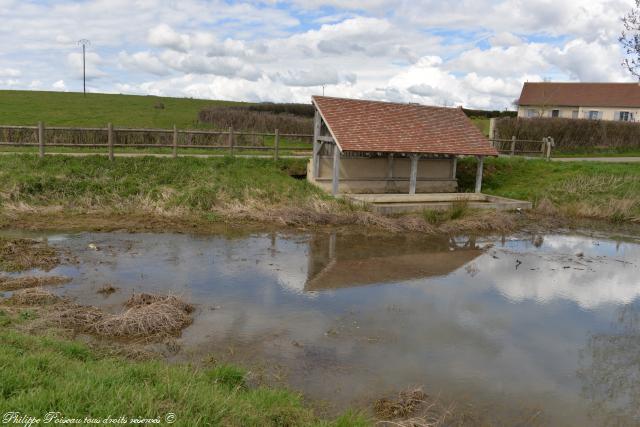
{"x":595,"y":190}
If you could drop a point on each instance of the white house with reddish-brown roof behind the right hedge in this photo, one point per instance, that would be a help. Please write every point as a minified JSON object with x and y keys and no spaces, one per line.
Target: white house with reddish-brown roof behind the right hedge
{"x":595,"y":101}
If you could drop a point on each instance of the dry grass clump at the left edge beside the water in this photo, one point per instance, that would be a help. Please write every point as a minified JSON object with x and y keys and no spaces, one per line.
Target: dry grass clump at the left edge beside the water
{"x":26,"y":254}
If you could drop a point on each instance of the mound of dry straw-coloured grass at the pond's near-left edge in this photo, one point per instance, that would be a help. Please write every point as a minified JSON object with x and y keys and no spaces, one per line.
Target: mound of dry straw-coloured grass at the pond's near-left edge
{"x":145,"y":316}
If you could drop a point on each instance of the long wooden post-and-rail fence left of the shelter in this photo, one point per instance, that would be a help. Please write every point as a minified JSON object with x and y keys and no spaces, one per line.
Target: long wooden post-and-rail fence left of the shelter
{"x":110,"y":138}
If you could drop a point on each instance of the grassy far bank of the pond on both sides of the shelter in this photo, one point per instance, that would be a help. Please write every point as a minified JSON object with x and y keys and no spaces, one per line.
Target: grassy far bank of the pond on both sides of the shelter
{"x":195,"y":193}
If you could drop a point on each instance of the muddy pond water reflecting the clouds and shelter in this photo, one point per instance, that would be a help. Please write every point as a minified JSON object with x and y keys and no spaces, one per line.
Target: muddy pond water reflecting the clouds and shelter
{"x":533,"y":329}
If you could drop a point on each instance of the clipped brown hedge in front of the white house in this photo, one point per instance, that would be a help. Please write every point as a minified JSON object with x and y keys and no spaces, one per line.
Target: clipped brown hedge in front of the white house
{"x":571,"y":134}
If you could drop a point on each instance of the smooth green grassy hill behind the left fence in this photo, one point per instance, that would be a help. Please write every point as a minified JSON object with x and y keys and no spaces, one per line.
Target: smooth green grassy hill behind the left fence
{"x":96,"y":109}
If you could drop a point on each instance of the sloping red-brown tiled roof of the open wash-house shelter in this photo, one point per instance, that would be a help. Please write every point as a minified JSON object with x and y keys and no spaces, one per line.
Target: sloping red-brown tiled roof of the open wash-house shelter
{"x":374,"y":126}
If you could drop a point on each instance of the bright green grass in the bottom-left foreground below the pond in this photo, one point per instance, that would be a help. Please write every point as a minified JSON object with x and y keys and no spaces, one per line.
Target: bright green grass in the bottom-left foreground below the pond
{"x":43,"y":374}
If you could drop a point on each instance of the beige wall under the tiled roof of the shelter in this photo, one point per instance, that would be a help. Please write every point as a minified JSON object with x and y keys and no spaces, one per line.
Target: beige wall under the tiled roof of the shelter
{"x":372,"y":175}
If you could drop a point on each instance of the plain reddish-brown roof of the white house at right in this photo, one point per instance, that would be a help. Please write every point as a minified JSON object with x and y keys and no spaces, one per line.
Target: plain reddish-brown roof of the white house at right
{"x":610,"y":95}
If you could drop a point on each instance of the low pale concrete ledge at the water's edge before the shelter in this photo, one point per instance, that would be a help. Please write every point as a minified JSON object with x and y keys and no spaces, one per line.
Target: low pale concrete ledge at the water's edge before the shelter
{"x":403,"y":203}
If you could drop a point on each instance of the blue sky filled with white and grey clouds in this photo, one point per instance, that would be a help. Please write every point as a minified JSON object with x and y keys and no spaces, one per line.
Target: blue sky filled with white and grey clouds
{"x":475,"y":53}
